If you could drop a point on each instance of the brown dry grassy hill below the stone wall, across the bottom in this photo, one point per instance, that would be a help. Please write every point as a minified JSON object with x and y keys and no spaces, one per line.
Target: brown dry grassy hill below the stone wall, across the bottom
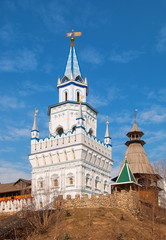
{"x":98,"y":224}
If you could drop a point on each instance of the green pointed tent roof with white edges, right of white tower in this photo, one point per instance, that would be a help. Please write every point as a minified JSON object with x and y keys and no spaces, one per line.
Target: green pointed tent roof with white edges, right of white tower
{"x":126,"y":176}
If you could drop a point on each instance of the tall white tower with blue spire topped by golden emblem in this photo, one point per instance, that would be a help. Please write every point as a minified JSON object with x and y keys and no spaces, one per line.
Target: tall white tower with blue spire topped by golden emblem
{"x":72,"y":160}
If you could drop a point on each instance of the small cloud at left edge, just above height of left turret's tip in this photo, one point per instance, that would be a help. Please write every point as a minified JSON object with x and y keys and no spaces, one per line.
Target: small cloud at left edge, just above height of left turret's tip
{"x":8,"y":102}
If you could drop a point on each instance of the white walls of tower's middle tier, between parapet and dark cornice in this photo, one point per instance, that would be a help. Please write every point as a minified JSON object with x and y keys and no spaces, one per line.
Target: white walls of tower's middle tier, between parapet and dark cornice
{"x":65,"y":116}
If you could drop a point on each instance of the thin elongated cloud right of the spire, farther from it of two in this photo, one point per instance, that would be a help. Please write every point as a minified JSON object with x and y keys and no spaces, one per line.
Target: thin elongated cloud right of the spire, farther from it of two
{"x":125,"y":57}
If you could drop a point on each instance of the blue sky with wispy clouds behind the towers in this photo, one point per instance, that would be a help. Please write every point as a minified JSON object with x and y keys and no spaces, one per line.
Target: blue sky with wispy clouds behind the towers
{"x":122,"y":52}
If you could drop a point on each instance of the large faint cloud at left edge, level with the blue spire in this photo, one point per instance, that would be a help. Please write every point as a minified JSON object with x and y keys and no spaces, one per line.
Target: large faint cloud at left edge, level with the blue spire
{"x":18,"y":61}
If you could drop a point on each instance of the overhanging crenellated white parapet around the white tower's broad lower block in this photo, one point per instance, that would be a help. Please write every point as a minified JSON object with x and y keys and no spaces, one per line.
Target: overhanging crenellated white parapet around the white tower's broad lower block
{"x":68,"y":147}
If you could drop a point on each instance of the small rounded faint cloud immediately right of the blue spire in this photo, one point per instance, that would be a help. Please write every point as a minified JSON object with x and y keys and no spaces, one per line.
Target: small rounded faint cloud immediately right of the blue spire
{"x":91,"y":55}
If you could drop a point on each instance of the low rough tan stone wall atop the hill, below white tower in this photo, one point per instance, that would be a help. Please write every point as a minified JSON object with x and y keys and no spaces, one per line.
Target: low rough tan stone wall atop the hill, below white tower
{"x":129,"y":201}
